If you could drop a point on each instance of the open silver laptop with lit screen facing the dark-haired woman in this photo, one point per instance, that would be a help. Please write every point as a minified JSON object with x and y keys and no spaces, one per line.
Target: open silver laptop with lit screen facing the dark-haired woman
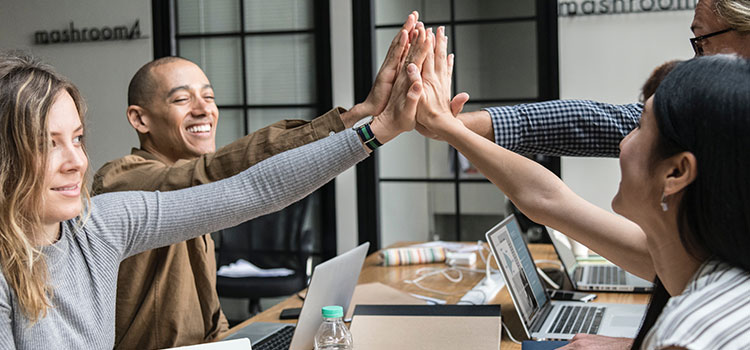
{"x":542,"y":318}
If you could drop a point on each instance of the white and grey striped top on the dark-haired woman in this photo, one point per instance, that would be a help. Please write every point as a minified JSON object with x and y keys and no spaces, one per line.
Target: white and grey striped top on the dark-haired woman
{"x":712,"y":313}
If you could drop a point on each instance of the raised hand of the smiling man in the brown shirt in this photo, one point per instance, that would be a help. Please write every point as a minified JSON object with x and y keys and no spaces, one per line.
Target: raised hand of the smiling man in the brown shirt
{"x":376,"y":100}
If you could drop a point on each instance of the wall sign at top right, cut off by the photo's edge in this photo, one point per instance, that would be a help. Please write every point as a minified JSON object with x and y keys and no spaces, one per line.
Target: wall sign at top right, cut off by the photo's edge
{"x":570,"y":8}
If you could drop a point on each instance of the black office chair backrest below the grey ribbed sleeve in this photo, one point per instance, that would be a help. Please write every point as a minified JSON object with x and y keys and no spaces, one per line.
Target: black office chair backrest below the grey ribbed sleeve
{"x":273,"y":240}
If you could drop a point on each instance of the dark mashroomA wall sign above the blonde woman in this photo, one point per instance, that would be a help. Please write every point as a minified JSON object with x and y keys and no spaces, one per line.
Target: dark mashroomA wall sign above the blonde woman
{"x":71,"y":34}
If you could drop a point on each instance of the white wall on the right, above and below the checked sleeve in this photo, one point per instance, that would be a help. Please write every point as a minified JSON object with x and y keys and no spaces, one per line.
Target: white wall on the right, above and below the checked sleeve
{"x":608,"y":58}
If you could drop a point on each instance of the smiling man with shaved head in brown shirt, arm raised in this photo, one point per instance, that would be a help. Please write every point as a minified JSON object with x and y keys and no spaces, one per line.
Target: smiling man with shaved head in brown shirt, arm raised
{"x":167,"y":297}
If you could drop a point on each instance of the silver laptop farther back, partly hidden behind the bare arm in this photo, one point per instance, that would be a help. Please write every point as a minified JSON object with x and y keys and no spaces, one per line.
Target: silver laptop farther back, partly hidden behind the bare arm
{"x":604,"y":276}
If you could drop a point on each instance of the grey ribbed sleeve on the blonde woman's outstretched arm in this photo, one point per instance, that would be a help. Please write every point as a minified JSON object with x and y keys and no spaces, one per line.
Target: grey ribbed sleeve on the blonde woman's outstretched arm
{"x":157,"y":219}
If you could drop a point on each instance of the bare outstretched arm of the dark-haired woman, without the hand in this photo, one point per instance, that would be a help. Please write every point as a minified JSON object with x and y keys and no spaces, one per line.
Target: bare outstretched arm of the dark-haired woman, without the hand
{"x":545,"y":199}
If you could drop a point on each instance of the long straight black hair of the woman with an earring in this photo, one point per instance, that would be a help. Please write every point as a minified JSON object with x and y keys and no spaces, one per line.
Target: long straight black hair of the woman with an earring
{"x":703,"y":107}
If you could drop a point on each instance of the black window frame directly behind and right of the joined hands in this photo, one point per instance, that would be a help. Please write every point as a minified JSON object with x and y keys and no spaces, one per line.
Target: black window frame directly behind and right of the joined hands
{"x":368,"y":179}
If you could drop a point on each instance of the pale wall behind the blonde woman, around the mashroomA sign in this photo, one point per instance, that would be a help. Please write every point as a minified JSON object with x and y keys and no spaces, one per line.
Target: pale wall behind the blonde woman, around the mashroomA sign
{"x":101,"y":70}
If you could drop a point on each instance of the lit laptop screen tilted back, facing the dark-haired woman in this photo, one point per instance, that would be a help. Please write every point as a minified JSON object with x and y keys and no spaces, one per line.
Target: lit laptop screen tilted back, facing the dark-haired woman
{"x":518,"y":268}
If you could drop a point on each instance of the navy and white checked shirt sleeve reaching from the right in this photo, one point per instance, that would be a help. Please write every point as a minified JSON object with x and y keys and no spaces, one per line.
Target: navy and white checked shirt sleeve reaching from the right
{"x":564,"y":127}
